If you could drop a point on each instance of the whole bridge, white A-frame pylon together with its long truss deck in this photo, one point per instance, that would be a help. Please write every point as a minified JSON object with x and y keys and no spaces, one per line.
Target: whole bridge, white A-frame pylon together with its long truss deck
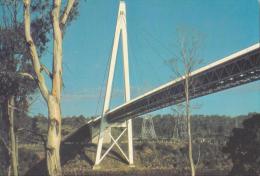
{"x":234,"y":70}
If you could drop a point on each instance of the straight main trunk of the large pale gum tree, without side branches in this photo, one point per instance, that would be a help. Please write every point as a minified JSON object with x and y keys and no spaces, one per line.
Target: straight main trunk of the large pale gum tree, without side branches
{"x":54,"y":110}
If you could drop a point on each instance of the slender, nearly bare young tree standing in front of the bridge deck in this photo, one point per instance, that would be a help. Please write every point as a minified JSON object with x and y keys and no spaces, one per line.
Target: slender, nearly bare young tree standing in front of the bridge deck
{"x":182,"y":64}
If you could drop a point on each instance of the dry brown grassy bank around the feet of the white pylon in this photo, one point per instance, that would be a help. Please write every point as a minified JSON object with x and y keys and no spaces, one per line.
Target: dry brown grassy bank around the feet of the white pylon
{"x":149,"y":159}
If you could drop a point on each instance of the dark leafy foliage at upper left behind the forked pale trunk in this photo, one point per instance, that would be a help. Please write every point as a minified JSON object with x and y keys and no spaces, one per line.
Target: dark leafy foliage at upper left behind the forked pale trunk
{"x":14,"y":54}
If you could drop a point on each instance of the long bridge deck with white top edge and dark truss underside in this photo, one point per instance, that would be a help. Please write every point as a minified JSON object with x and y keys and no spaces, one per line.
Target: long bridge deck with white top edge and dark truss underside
{"x":239,"y":68}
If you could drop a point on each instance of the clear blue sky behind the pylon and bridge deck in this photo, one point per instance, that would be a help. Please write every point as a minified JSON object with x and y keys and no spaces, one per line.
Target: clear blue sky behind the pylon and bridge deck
{"x":226,"y":26}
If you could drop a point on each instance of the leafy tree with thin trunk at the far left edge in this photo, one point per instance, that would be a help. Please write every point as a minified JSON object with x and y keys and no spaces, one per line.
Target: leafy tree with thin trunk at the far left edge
{"x":14,"y":66}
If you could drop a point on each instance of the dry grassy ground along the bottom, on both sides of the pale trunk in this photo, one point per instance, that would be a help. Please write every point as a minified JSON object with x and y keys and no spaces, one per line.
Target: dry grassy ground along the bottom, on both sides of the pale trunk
{"x":156,"y":158}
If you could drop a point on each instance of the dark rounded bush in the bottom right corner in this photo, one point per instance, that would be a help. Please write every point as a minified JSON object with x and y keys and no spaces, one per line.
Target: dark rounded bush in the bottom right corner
{"x":243,"y":148}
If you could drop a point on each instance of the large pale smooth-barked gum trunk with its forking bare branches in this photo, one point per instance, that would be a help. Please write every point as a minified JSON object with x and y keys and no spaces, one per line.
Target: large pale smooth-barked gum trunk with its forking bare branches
{"x":52,"y":97}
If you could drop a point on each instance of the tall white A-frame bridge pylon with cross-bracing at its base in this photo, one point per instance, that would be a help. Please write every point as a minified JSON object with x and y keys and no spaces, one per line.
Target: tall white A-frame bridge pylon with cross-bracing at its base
{"x":120,"y":30}
